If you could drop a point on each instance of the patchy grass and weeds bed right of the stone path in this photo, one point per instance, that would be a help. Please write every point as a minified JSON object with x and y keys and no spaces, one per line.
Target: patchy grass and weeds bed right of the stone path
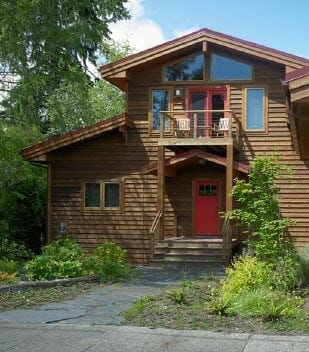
{"x":184,"y":307}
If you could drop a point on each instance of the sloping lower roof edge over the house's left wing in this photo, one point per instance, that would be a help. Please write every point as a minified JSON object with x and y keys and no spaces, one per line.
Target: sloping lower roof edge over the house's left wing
{"x":37,"y":152}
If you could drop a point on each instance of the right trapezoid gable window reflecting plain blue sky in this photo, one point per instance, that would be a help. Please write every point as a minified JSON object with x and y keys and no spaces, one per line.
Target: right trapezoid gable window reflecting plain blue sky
{"x":224,"y":69}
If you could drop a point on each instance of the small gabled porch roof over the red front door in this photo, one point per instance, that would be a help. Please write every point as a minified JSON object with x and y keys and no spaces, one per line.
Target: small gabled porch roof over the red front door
{"x":181,"y":160}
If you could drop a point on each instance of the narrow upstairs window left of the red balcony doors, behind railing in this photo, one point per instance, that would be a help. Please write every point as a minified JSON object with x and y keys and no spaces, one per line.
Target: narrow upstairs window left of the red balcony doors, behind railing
{"x":160,"y":102}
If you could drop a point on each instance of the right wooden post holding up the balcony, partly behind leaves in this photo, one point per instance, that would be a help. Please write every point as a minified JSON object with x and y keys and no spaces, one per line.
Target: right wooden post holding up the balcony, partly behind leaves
{"x":228,"y":200}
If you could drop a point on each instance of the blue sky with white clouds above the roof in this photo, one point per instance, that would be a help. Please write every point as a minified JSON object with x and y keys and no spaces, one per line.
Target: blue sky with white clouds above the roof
{"x":279,"y":24}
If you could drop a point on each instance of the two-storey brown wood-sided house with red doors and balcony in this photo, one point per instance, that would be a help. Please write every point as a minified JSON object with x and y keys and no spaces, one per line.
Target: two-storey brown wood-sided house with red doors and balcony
{"x":156,"y":178}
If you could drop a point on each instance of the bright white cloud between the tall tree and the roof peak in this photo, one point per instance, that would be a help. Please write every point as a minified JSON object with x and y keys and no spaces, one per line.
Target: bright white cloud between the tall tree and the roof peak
{"x":140,"y":32}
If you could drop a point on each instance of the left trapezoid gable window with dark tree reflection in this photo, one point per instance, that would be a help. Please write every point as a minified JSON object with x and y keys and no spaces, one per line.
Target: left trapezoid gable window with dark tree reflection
{"x":190,"y":69}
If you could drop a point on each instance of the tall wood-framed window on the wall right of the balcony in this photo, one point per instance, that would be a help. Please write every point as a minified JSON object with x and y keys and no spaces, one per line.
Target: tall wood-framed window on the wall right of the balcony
{"x":254,"y":109}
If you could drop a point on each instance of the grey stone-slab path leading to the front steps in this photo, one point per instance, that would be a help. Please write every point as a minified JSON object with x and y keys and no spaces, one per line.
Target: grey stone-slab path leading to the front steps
{"x":102,"y":305}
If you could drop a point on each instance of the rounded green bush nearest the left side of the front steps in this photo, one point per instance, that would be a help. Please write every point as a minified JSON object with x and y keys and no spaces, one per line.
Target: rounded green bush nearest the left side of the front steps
{"x":109,"y":262}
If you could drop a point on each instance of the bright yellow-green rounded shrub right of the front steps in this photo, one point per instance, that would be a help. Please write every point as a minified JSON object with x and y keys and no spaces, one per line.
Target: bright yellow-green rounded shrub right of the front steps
{"x":246,"y":274}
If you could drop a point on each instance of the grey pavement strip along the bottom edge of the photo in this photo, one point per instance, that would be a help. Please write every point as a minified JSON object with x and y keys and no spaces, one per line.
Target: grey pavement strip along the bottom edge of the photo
{"x":110,"y":338}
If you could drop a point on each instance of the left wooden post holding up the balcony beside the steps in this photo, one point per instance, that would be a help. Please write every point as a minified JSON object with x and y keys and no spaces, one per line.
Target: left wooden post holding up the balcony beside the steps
{"x":161,"y":188}
